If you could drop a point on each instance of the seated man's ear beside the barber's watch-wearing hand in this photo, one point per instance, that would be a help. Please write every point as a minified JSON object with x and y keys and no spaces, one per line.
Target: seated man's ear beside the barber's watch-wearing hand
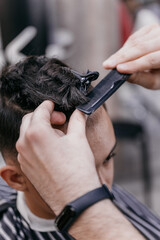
{"x":13,"y":177}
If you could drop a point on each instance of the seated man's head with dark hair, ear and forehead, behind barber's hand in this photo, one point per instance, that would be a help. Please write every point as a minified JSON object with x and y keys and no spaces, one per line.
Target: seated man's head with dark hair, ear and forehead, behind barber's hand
{"x":22,"y":88}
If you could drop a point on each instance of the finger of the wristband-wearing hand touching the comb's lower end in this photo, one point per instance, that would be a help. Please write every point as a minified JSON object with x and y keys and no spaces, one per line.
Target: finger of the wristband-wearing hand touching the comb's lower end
{"x":77,"y":123}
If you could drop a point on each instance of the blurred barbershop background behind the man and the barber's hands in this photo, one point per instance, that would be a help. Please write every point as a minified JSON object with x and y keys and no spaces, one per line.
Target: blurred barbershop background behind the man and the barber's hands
{"x":83,"y":34}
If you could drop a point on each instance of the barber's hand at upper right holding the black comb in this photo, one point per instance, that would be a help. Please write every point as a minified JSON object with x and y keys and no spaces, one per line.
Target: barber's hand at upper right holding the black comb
{"x":140,"y":56}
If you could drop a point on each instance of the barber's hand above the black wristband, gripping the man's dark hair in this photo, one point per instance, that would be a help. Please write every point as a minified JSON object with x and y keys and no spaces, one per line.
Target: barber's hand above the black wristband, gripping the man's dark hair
{"x":60,"y":166}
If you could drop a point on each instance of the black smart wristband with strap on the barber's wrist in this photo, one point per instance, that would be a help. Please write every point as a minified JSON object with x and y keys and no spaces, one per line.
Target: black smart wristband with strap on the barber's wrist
{"x":72,"y":210}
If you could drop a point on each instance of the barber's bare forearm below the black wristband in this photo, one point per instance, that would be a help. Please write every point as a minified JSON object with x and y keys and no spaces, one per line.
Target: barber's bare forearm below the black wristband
{"x":104,"y":221}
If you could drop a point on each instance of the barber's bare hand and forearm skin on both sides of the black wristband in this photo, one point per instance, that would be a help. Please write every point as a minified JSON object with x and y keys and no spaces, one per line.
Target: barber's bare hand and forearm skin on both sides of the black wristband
{"x":66,"y":184}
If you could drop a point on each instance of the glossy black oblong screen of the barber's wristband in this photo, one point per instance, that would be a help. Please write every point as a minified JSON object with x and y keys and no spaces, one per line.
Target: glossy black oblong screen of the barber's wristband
{"x":65,"y":218}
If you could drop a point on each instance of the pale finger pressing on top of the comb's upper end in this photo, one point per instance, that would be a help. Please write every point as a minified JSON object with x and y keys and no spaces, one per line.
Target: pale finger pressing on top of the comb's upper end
{"x":147,"y":62}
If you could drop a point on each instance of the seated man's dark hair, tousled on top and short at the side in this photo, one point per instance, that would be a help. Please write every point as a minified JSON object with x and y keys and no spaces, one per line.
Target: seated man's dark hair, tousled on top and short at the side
{"x":26,"y":85}
